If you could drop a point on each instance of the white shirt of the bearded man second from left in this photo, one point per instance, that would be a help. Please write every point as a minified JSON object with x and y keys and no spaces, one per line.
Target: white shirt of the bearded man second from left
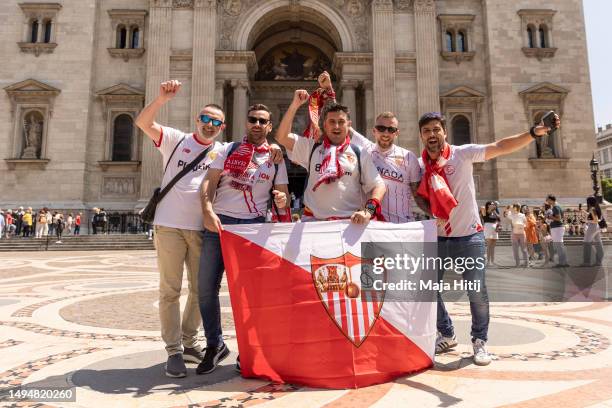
{"x":247,"y":204}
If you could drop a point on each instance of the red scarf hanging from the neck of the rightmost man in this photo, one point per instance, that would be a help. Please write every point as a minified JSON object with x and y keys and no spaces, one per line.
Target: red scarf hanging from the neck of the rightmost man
{"x":434,"y":187}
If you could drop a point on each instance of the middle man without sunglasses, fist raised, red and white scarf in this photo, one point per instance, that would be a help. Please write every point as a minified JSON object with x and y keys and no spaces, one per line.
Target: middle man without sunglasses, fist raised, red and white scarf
{"x":339,"y":177}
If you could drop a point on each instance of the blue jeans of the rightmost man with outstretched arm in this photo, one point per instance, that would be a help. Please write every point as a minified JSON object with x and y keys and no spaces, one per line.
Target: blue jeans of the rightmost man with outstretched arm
{"x":472,"y":246}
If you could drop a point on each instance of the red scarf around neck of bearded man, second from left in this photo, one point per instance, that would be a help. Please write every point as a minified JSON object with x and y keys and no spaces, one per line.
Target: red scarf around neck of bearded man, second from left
{"x":238,"y":164}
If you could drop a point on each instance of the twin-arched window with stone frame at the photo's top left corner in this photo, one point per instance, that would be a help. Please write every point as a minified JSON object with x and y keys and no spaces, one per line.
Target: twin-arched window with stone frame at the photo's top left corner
{"x":39,"y":35}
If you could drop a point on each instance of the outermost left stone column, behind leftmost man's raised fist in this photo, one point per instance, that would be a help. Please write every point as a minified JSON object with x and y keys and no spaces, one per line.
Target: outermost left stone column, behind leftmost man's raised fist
{"x":158,"y":70}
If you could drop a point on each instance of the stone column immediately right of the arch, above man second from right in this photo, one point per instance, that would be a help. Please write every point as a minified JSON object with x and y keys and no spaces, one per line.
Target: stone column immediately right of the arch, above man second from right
{"x":384,"y":55}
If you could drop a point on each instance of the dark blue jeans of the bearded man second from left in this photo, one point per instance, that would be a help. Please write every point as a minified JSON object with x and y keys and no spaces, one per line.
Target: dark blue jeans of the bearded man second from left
{"x":209,"y":280}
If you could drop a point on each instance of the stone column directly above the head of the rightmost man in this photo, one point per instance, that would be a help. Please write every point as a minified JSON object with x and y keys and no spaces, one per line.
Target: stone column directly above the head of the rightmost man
{"x":427,"y":56}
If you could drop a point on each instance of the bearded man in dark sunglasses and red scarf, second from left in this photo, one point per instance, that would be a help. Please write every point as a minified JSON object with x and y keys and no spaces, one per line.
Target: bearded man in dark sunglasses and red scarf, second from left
{"x":236,"y":190}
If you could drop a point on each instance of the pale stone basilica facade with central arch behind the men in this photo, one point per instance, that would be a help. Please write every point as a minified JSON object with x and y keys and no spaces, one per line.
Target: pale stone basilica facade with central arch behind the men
{"x":76,"y":73}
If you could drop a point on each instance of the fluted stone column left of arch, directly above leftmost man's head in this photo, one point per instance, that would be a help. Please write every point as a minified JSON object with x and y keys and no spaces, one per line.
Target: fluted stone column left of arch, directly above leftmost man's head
{"x":203,"y":66}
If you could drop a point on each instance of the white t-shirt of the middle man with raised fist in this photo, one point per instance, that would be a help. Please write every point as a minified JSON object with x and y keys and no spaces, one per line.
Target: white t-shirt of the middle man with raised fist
{"x":344,"y":196}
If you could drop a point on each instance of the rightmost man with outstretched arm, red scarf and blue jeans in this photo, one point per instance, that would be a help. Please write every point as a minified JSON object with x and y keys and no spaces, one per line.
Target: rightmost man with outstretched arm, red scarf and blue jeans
{"x":448,"y":184}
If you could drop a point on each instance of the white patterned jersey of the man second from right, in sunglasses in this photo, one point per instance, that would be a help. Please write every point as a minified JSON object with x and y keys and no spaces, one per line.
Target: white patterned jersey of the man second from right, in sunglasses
{"x":398,"y":168}
